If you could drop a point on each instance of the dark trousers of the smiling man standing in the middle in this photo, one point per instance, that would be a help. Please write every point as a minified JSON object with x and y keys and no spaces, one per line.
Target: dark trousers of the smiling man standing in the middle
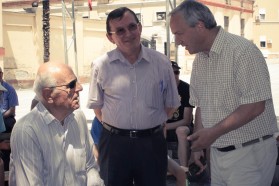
{"x":126,"y":161}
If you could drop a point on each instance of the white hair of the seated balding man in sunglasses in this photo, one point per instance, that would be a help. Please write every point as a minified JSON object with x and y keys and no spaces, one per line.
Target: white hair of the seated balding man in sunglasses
{"x":42,"y":81}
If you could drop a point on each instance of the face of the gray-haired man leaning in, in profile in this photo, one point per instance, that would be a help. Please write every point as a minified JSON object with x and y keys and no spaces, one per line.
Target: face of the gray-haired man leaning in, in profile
{"x":185,"y":35}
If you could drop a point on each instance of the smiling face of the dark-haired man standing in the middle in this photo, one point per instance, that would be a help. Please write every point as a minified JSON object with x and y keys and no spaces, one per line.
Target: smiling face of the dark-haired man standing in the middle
{"x":125,"y":33}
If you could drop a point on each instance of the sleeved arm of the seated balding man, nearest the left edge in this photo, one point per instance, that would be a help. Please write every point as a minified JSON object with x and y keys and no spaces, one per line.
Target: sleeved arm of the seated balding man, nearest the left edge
{"x":27,"y":161}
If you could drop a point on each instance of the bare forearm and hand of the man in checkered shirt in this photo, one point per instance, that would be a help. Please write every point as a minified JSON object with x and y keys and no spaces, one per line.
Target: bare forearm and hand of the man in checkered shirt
{"x":203,"y":138}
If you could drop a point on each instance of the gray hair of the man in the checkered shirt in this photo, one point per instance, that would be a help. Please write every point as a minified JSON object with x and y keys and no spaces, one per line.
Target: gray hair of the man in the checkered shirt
{"x":193,"y":12}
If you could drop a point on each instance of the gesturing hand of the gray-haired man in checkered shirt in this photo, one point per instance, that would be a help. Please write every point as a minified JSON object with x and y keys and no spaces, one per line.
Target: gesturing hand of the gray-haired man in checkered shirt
{"x":202,"y":139}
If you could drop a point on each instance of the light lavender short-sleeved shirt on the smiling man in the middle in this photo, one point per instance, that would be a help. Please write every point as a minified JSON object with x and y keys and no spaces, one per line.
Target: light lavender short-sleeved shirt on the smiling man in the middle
{"x":133,"y":96}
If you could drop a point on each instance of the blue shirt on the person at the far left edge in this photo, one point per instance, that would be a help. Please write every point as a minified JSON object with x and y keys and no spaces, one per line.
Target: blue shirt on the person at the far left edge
{"x":10,"y":98}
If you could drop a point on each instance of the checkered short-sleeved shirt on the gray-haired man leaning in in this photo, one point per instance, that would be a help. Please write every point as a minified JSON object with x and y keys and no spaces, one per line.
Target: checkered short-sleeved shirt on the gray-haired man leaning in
{"x":232,"y":74}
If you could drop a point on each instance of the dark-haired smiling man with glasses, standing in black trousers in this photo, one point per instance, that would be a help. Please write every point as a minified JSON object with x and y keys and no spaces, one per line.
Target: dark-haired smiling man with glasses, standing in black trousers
{"x":133,"y":92}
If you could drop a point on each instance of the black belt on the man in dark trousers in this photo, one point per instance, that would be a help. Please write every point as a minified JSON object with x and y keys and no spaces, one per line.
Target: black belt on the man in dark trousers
{"x":132,"y":133}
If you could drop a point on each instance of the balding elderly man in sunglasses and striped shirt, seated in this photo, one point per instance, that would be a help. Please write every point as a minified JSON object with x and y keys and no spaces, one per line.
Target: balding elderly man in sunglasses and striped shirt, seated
{"x":51,"y":145}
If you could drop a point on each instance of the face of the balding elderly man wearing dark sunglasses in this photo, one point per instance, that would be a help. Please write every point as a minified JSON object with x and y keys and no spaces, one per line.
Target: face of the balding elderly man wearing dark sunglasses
{"x":66,"y":94}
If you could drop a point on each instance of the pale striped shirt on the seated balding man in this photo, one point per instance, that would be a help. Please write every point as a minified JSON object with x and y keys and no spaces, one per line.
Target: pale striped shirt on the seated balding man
{"x":46,"y":153}
